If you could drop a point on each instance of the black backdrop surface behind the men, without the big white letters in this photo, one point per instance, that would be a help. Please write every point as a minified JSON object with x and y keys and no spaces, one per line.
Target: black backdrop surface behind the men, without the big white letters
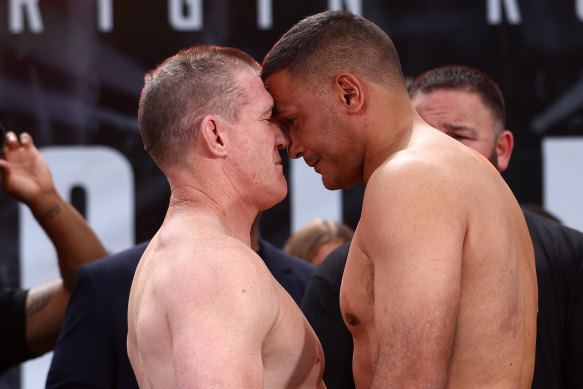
{"x":70,"y":80}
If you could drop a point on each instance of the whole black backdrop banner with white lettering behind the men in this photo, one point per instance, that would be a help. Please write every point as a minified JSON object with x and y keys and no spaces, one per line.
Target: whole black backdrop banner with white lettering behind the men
{"x":71,"y":72}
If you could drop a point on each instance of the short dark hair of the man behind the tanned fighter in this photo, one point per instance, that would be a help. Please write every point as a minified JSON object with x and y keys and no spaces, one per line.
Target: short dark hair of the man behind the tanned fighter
{"x":465,"y":78}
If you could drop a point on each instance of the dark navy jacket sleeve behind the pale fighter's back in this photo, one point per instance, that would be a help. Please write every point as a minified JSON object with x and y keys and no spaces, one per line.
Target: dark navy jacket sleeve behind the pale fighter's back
{"x":82,"y":356}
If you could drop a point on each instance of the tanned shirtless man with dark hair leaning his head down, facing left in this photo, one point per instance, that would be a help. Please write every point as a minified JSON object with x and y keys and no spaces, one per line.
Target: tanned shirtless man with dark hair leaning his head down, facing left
{"x":439,"y":288}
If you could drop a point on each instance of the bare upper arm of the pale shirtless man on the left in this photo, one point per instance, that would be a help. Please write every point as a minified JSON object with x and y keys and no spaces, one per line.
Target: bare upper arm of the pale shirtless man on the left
{"x":218,"y":327}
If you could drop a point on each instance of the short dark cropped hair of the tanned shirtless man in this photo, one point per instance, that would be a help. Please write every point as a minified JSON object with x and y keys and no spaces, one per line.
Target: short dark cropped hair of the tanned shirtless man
{"x":321,"y":46}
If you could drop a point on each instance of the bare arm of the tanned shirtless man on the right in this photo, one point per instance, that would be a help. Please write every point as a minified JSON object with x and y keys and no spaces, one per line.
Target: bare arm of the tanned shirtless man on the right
{"x":413,"y":232}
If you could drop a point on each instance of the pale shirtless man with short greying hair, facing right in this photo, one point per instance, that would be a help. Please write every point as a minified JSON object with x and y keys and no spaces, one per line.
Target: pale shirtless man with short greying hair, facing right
{"x":204,"y":311}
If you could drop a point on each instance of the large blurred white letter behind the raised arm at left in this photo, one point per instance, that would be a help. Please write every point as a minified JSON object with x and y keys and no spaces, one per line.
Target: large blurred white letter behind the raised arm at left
{"x":107,"y":178}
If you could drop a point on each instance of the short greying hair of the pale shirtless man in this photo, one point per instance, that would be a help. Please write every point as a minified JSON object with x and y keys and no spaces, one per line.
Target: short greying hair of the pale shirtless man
{"x":186,"y":87}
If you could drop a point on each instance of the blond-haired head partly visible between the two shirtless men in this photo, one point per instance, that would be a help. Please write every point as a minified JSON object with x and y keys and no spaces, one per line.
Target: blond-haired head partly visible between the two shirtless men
{"x":314,"y":241}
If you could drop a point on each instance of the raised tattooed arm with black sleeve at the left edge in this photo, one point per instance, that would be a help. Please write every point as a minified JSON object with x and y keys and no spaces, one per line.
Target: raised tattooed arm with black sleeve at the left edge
{"x":31,"y":319}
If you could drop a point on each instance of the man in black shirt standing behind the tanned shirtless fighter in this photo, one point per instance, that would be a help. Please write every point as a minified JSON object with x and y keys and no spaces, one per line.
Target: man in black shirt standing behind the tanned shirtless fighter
{"x":467,"y":105}
